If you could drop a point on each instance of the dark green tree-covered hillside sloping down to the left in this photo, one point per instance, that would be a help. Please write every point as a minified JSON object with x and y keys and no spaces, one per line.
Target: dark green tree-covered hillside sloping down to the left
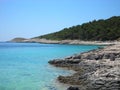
{"x":101,"y":30}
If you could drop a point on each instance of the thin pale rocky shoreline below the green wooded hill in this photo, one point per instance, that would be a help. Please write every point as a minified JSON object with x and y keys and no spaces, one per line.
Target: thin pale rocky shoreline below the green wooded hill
{"x":77,"y":42}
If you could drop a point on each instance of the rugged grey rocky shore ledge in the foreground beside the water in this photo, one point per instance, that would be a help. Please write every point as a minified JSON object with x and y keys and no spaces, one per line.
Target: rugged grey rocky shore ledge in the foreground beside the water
{"x":95,"y":70}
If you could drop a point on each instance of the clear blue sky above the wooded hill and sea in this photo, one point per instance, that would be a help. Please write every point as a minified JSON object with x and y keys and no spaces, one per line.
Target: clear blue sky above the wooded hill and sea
{"x":31,"y":18}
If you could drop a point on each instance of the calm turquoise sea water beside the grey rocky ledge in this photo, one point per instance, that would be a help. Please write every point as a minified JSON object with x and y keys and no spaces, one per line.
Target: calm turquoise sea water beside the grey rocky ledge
{"x":24,"y":66}
